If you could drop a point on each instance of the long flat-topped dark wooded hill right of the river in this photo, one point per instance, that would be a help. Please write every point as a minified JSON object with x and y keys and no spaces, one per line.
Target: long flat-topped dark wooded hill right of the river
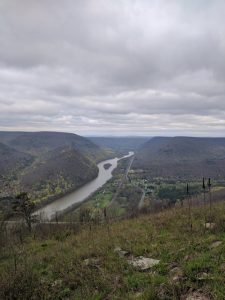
{"x":182,"y":157}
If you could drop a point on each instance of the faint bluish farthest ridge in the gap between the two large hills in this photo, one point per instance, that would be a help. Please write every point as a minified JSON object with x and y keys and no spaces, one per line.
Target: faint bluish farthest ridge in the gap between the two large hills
{"x":121,"y":145}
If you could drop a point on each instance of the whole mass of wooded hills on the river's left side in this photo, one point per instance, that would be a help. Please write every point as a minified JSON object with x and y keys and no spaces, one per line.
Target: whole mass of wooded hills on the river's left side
{"x":46,"y":164}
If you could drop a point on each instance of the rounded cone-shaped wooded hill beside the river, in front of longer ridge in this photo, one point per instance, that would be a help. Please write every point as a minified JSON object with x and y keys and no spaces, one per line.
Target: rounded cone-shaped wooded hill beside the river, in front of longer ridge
{"x":57,"y":172}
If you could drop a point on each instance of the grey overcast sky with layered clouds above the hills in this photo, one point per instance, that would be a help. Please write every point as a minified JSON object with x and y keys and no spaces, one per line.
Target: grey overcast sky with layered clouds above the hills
{"x":119,"y":67}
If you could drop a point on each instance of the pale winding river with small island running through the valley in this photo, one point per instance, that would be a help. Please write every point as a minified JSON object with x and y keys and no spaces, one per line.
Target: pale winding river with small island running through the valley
{"x":58,"y":206}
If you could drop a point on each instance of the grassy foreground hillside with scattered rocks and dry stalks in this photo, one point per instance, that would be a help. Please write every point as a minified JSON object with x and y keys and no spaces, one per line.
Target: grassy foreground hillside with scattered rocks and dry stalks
{"x":80,"y":262}
